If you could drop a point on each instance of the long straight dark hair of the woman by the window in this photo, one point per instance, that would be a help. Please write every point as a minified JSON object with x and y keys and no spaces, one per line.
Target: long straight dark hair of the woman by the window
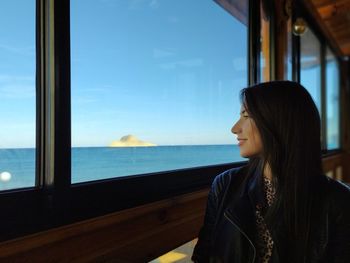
{"x":289,"y":125}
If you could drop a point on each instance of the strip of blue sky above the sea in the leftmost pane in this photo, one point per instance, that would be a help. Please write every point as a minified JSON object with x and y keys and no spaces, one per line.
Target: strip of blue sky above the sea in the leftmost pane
{"x":17,"y":73}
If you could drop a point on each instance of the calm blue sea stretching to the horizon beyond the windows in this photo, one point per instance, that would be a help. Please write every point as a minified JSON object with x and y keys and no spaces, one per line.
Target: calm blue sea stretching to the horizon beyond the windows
{"x":17,"y":166}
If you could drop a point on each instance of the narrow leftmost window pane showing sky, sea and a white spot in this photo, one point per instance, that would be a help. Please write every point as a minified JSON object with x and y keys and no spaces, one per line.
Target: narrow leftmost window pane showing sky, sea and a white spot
{"x":17,"y":93}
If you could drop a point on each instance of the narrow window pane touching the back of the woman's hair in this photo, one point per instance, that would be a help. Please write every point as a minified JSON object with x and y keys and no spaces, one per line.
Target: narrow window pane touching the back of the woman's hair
{"x":310,"y":66}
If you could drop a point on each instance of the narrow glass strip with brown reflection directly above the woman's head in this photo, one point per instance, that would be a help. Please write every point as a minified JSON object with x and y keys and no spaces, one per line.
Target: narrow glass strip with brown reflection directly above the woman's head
{"x":264,"y":42}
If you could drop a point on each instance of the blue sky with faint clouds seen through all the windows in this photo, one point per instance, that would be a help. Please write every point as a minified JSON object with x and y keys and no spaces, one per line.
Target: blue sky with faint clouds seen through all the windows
{"x":168,"y":72}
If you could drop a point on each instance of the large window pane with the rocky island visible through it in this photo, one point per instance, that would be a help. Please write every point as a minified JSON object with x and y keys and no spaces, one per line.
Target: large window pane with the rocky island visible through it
{"x":155,"y":84}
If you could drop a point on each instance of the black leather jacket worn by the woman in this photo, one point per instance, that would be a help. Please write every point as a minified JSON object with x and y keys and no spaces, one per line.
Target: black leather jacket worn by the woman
{"x":229,"y":225}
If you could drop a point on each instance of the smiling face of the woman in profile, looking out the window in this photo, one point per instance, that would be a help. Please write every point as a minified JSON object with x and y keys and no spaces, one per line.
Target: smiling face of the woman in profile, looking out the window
{"x":248,"y":136}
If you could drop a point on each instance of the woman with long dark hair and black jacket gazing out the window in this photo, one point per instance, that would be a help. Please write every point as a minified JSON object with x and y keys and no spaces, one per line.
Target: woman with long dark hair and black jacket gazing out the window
{"x":279,"y":207}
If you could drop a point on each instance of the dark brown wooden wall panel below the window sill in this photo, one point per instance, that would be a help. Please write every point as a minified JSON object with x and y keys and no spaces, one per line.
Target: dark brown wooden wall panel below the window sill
{"x":133,"y":235}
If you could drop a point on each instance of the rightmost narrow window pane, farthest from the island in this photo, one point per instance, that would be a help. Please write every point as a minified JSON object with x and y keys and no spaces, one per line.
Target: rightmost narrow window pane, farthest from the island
{"x":332,"y":100}
